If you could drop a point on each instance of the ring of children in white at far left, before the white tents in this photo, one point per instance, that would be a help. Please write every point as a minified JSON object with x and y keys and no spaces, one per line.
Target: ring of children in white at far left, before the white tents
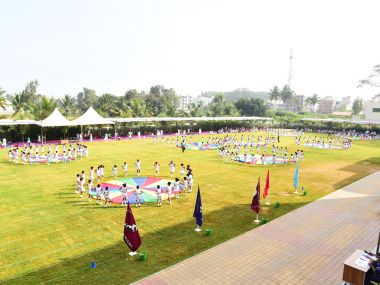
{"x":35,"y":154}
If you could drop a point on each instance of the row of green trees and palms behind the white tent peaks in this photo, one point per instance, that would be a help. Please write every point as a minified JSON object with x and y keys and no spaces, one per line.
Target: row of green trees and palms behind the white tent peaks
{"x":158,"y":102}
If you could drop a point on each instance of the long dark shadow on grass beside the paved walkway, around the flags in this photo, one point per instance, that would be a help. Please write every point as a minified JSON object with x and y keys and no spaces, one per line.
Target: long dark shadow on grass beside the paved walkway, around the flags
{"x":164,"y":247}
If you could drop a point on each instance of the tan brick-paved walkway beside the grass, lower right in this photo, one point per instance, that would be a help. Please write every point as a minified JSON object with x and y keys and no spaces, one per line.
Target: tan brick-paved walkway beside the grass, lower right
{"x":306,"y":246}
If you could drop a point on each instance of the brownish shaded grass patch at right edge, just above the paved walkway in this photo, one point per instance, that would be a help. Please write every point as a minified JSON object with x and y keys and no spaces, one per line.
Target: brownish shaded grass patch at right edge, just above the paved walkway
{"x":358,"y":170}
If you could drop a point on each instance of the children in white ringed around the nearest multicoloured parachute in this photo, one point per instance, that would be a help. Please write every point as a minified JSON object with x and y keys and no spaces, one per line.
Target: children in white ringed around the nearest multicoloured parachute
{"x":172,"y":189}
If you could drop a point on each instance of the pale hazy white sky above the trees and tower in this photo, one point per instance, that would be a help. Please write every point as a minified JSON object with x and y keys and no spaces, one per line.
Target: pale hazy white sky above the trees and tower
{"x":192,"y":46}
